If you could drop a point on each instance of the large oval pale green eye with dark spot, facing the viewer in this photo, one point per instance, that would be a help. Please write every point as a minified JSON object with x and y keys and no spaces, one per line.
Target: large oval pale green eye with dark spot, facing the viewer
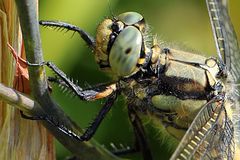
{"x":125,"y":51}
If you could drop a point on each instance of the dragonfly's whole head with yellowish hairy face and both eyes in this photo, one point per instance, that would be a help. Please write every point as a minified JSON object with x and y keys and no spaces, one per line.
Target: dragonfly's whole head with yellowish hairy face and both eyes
{"x":120,"y":44}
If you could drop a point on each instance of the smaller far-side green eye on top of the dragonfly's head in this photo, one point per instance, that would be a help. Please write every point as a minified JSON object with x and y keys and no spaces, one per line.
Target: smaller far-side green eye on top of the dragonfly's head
{"x":130,"y":18}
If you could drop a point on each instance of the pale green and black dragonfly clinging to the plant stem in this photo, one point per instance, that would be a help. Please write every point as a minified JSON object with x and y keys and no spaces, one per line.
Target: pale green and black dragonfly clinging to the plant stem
{"x":192,"y":99}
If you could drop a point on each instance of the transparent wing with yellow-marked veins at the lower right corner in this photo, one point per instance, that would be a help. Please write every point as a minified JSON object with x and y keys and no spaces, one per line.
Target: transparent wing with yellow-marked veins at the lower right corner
{"x":210,"y":135}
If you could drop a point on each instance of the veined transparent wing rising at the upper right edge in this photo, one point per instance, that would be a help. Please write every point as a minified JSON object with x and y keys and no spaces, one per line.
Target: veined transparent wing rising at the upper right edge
{"x":225,"y":37}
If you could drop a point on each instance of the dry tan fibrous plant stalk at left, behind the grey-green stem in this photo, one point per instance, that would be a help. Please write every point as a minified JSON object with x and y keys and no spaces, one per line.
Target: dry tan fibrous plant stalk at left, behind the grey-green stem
{"x":19,"y":138}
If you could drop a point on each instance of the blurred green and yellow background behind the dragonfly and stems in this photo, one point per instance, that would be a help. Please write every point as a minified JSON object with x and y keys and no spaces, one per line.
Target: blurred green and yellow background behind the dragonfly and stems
{"x":181,"y":22}
